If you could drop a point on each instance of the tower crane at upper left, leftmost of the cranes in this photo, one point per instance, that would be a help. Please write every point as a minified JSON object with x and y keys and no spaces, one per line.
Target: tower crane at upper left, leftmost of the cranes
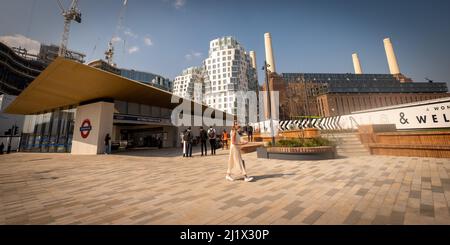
{"x":71,"y":14}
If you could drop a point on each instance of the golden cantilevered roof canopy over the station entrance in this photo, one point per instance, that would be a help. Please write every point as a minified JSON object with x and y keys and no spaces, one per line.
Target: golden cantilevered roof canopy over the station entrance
{"x":66,"y":83}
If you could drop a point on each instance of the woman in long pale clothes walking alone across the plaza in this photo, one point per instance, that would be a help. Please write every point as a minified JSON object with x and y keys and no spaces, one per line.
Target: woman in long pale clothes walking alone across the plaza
{"x":235,"y":155}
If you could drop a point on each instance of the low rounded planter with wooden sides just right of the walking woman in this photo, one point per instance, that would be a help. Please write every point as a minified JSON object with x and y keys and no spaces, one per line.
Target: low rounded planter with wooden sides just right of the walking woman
{"x":297,"y":153}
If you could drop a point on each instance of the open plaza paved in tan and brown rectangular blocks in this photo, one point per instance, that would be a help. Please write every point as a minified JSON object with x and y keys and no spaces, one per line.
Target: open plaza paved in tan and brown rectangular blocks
{"x":160,"y":187}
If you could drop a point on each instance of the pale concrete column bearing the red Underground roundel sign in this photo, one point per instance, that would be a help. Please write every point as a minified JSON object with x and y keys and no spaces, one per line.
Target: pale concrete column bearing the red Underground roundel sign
{"x":92,"y":123}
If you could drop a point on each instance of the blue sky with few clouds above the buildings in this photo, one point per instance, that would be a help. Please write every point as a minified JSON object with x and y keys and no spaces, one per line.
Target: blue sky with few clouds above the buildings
{"x":166,"y":36}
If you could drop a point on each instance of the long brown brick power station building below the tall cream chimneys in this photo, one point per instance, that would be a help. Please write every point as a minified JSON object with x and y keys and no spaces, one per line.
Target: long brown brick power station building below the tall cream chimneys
{"x":322,"y":94}
